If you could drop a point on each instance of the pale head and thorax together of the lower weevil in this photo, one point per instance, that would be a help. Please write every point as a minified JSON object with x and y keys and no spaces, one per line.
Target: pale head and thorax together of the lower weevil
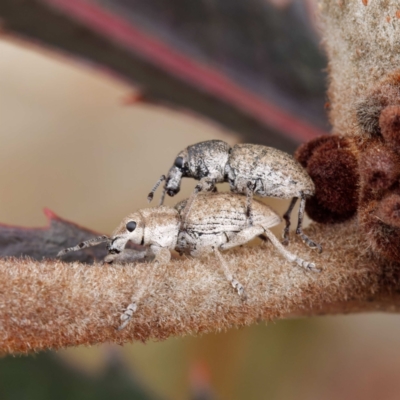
{"x":148,"y":226}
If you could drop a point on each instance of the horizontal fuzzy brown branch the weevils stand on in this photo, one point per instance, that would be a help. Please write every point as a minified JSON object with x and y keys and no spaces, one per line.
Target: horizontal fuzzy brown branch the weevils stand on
{"x":55,"y":304}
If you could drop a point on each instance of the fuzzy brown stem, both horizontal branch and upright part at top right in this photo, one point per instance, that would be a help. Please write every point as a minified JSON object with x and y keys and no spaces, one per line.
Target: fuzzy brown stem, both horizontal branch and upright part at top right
{"x":54,"y":304}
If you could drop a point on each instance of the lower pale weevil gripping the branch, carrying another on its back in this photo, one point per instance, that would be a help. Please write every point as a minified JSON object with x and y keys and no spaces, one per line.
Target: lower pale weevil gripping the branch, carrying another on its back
{"x":218,"y":221}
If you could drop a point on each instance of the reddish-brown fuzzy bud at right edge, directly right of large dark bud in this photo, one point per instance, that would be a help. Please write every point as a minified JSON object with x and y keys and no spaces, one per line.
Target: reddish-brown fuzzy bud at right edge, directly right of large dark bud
{"x":379,"y":167}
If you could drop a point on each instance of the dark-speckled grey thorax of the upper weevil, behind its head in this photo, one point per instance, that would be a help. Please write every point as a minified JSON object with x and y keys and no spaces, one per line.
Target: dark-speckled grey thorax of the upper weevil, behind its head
{"x":208,"y":159}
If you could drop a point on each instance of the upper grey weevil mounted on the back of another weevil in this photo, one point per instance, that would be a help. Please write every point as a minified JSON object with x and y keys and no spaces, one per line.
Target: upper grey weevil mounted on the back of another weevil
{"x":250,"y":169}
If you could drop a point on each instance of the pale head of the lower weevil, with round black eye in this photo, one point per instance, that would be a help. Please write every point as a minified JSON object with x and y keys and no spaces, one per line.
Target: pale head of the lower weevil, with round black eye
{"x":130,"y":229}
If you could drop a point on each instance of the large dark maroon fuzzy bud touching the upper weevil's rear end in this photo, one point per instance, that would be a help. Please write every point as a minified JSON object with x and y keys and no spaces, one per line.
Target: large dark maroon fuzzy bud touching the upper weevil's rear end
{"x":334,"y":171}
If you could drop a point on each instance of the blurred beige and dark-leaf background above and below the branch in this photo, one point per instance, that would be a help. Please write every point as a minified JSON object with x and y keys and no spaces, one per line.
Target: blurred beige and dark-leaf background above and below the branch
{"x":96,"y":100}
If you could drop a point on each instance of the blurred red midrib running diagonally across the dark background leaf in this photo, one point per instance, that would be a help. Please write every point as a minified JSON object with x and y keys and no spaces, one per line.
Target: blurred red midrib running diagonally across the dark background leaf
{"x":197,"y":74}
